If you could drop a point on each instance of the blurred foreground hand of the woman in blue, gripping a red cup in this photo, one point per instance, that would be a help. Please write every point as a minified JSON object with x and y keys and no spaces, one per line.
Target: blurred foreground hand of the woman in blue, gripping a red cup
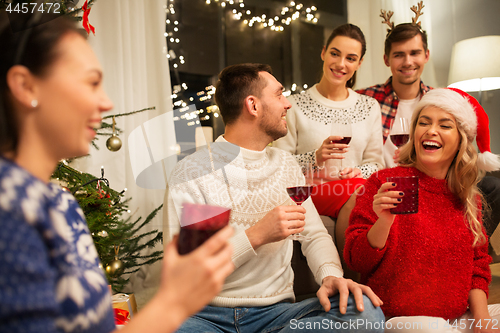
{"x":188,"y":283}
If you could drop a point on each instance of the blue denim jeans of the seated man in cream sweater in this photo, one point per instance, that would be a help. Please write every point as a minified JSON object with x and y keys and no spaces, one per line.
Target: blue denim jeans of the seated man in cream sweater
{"x":305,"y":316}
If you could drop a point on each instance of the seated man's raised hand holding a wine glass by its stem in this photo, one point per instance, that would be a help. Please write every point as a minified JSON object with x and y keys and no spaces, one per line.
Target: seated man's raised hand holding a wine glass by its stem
{"x":277,"y":225}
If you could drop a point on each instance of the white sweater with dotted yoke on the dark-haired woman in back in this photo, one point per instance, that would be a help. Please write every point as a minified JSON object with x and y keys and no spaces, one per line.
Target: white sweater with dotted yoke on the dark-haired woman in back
{"x":310,"y":120}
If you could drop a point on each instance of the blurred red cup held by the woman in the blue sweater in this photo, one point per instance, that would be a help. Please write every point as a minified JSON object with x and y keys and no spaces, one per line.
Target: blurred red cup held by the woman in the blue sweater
{"x":199,"y":223}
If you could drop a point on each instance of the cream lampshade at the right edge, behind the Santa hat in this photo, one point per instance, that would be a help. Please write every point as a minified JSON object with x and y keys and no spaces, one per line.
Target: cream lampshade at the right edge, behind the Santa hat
{"x":475,"y":64}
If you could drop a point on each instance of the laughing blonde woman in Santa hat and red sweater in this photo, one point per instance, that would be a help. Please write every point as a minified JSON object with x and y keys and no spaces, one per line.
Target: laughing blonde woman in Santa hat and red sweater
{"x":433,"y":264}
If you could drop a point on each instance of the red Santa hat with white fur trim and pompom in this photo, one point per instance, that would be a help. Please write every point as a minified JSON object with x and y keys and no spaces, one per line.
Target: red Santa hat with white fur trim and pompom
{"x":471,"y":117}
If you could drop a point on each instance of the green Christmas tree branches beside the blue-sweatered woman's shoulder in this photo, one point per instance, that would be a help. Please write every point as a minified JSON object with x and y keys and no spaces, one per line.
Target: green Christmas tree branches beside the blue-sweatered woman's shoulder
{"x":118,"y":241}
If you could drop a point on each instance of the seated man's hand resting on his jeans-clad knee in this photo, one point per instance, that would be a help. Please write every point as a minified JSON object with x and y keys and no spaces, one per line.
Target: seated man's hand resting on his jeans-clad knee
{"x":333,"y":285}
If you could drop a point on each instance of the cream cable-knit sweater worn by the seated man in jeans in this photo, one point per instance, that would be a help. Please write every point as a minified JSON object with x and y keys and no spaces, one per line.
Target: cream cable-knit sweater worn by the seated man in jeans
{"x":257,"y":181}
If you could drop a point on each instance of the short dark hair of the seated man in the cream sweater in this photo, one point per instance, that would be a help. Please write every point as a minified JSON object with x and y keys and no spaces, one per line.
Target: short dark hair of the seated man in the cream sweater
{"x":235,"y":83}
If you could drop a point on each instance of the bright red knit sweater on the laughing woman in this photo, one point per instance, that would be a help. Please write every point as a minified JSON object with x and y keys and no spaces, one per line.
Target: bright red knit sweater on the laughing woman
{"x":428,"y":265}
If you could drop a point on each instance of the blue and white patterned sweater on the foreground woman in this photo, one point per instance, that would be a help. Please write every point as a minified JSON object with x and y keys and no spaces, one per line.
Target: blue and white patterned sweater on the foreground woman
{"x":50,"y":280}
